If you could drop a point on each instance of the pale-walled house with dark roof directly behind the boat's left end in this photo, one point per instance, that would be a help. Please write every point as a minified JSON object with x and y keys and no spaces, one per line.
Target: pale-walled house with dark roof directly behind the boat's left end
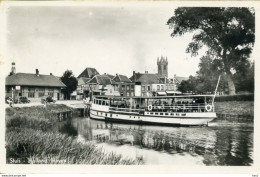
{"x":103,"y":85}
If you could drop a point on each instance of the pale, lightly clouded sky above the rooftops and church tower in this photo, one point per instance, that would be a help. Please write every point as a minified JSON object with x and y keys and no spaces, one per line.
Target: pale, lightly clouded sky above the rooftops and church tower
{"x":113,"y":39}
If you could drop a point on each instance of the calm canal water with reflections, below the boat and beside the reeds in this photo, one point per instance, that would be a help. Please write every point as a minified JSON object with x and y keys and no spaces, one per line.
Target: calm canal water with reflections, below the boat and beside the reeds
{"x":222,"y":143}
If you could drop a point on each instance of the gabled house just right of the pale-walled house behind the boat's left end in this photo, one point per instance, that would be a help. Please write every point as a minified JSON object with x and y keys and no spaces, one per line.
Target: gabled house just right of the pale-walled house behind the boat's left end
{"x":126,"y":86}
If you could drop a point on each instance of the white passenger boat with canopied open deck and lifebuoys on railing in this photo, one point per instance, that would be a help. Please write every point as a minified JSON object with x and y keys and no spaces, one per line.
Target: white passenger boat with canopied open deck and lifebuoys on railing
{"x":182,"y":110}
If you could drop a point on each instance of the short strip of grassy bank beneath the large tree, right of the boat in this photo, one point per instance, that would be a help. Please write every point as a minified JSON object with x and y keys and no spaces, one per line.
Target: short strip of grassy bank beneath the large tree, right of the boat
{"x":245,"y":108}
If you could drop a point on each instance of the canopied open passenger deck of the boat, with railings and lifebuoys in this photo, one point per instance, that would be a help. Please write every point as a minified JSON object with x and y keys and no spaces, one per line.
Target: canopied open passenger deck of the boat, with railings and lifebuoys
{"x":185,"y":103}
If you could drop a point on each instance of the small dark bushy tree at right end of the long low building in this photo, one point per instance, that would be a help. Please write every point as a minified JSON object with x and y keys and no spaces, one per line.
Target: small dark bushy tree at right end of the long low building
{"x":70,"y":81}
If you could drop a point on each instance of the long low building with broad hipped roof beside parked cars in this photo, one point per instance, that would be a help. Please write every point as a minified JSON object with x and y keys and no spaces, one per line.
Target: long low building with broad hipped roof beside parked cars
{"x":34,"y":86}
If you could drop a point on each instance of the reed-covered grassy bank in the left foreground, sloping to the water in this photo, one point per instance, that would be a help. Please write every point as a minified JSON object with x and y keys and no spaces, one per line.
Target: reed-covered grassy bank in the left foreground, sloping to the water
{"x":32,"y":137}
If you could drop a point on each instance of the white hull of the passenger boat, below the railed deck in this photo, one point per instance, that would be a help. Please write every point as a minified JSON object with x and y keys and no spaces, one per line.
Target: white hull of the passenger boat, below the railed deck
{"x":165,"y":118}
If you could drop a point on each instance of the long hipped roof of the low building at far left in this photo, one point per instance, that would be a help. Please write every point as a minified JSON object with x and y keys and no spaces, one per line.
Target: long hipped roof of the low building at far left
{"x":26,"y":79}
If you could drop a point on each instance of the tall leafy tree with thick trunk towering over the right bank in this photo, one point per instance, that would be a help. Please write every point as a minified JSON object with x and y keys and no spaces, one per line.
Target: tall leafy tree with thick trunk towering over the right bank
{"x":228,"y":33}
